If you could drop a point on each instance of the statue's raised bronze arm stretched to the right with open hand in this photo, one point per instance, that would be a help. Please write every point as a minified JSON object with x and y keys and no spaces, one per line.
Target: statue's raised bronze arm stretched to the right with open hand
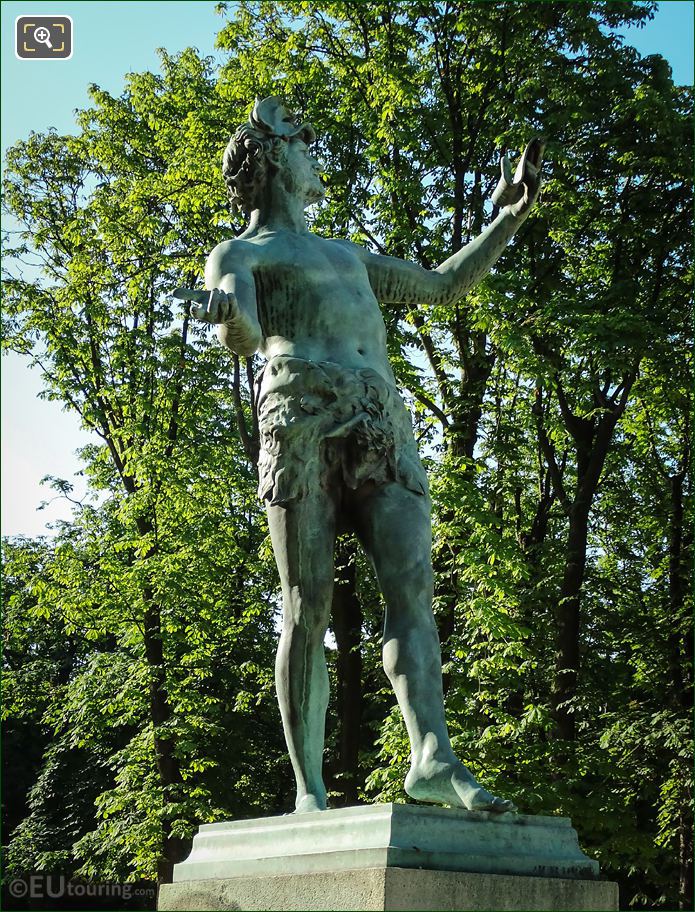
{"x":397,"y":281}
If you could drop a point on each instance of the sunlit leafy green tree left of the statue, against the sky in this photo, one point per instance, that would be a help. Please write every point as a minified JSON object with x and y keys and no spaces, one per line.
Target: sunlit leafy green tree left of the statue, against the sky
{"x":114,"y":219}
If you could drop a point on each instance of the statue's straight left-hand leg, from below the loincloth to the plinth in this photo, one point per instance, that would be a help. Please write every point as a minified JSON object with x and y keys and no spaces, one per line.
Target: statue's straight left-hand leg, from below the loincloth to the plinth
{"x":303,"y":536}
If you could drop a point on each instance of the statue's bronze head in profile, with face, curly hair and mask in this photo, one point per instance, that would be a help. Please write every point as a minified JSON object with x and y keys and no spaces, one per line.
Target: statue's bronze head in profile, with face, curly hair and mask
{"x":268,"y":147}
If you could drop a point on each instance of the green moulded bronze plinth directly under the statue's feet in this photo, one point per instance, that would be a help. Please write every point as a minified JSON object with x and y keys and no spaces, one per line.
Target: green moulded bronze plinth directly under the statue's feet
{"x":387,"y":836}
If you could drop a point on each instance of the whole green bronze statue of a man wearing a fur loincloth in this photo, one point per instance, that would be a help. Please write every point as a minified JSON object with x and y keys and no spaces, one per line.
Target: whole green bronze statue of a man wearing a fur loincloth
{"x":337,"y":448}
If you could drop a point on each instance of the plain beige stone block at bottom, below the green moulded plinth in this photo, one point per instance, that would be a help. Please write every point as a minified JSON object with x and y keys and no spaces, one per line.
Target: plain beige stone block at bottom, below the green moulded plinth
{"x":389,"y":888}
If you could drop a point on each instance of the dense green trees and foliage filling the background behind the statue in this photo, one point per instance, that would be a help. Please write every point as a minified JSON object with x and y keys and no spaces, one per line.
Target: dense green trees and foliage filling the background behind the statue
{"x":552,"y":406}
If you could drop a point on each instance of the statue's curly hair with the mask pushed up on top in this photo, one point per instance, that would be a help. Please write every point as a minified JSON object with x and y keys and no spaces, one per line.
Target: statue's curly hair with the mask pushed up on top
{"x":254,"y":148}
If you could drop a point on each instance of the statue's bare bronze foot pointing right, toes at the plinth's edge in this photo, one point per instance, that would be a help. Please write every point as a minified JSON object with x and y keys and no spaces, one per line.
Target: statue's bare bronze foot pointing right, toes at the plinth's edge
{"x":452,"y":784}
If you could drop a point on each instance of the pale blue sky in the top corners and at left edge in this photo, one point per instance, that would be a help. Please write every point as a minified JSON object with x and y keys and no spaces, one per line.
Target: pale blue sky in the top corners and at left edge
{"x":111,"y":39}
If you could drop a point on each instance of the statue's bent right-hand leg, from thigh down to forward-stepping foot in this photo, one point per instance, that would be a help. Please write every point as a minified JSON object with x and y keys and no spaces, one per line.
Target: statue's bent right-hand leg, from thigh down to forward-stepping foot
{"x":394,"y":526}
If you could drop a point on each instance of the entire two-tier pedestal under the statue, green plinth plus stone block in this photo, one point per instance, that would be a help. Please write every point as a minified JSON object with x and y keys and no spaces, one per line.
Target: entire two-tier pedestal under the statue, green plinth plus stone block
{"x":390,"y":856}
